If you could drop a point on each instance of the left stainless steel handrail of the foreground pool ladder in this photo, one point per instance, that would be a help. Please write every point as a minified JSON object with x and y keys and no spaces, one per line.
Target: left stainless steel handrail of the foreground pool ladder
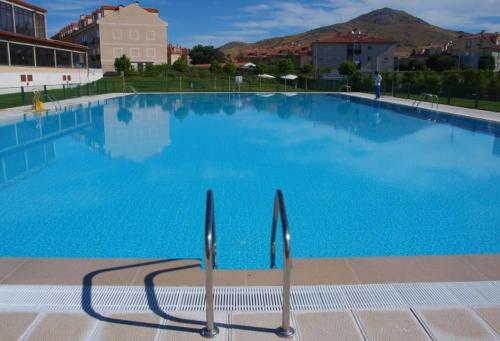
{"x":211,"y":330}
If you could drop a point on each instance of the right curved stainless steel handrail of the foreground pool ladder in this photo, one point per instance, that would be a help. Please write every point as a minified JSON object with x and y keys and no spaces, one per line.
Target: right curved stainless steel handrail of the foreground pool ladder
{"x":280,"y":212}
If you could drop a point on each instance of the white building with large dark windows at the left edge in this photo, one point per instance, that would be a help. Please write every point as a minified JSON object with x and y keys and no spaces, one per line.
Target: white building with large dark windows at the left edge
{"x":28,"y":58}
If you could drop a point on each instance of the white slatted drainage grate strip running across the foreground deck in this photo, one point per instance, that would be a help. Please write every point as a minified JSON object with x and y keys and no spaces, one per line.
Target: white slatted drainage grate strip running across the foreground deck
{"x":265,"y":299}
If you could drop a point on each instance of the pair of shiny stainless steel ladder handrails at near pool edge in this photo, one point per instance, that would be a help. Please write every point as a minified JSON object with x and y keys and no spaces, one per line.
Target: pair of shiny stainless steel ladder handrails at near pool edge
{"x":279,"y":213}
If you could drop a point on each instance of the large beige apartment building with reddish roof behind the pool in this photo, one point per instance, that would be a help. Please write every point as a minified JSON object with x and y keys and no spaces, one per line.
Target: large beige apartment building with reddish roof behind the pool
{"x":112,"y":31}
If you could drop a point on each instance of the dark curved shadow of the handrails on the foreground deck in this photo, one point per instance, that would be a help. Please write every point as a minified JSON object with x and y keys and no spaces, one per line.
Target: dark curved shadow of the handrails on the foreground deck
{"x":149,"y":286}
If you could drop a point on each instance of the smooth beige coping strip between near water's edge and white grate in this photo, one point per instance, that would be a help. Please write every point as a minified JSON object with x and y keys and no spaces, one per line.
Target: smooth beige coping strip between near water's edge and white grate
{"x":188,"y":272}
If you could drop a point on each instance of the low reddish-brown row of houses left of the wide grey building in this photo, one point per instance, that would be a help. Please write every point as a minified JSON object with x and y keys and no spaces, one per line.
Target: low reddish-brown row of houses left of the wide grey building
{"x":298,"y":53}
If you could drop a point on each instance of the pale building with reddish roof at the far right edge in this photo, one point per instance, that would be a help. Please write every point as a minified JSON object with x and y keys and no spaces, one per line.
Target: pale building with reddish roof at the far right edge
{"x":471,"y":49}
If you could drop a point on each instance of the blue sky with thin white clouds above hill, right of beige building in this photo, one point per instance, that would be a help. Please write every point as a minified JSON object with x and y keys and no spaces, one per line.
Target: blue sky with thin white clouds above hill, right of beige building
{"x":264,"y":20}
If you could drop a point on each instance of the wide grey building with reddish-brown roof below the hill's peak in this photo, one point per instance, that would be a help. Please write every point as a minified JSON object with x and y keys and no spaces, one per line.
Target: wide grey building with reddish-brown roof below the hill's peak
{"x":370,"y":54}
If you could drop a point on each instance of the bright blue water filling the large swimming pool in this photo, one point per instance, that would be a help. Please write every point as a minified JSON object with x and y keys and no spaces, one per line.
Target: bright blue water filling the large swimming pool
{"x":128,"y":178}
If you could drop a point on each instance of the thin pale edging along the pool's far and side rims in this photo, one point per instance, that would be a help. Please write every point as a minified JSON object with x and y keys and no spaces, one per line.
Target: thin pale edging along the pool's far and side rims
{"x":12,"y":114}
